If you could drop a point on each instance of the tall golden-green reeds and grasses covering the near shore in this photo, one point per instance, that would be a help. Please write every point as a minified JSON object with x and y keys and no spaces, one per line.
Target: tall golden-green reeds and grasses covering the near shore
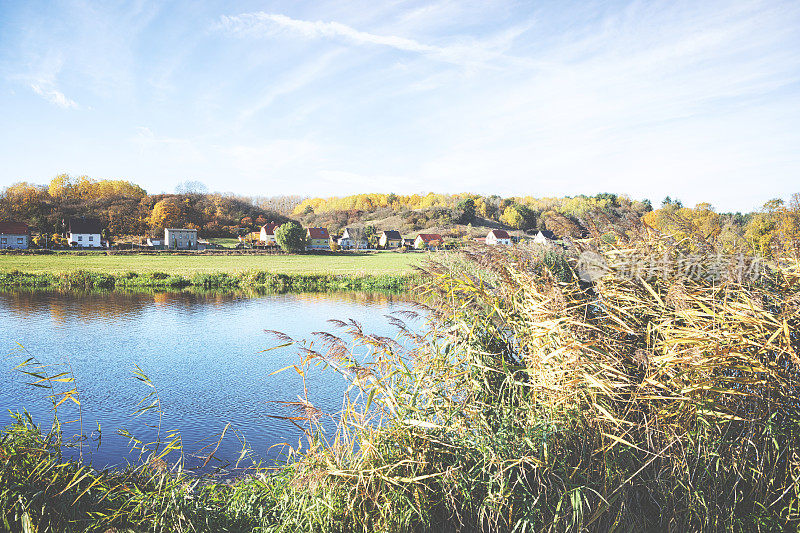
{"x":536,"y":400}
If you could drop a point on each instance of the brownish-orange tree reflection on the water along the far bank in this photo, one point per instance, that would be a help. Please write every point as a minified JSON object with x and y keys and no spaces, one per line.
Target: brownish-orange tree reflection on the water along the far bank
{"x":63,"y":306}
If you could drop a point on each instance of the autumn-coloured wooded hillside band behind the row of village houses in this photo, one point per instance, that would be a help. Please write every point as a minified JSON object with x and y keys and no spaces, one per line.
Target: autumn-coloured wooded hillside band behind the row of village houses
{"x":125,"y":208}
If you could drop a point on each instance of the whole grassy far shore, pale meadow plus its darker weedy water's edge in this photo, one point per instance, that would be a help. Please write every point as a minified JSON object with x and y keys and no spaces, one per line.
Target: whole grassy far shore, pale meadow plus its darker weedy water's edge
{"x":390,"y":272}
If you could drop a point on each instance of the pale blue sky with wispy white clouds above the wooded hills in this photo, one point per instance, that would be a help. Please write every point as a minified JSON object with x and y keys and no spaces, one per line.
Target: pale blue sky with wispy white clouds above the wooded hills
{"x":697,"y":100}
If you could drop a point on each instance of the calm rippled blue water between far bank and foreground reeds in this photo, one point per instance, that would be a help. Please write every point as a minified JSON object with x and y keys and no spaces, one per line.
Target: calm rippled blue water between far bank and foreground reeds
{"x":200,"y":351}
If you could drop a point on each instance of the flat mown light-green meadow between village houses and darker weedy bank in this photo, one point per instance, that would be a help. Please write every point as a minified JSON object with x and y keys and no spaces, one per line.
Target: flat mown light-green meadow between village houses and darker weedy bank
{"x":376,"y":263}
